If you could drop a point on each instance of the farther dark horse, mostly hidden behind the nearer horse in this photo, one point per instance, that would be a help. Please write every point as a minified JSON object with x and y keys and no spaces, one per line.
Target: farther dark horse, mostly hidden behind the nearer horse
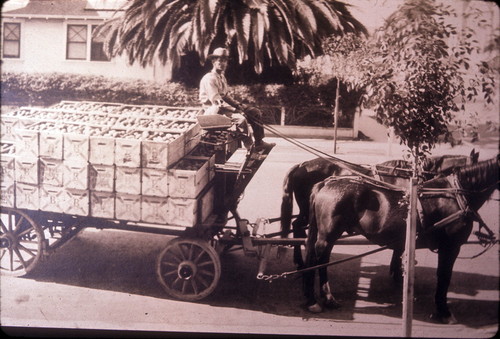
{"x":301,"y":178}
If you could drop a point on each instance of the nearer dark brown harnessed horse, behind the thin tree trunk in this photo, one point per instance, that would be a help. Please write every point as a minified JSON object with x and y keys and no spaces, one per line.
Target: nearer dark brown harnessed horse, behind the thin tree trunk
{"x":347,"y":204}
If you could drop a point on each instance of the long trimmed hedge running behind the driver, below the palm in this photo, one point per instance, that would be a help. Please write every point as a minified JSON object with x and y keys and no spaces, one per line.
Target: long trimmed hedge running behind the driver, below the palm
{"x":303,"y":104}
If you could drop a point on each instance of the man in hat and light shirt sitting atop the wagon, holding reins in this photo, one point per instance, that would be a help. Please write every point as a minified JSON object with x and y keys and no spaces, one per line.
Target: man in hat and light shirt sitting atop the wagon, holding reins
{"x":215,"y":99}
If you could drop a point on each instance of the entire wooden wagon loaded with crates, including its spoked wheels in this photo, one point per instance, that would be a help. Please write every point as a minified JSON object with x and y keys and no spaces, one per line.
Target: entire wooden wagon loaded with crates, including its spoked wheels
{"x":141,"y":168}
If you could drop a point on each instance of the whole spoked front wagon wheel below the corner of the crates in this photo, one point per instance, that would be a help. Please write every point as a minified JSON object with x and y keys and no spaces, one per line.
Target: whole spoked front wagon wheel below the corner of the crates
{"x":188,"y":269}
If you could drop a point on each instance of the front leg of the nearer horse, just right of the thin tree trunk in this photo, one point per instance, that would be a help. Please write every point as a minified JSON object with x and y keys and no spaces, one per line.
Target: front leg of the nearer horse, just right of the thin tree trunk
{"x":446,"y":260}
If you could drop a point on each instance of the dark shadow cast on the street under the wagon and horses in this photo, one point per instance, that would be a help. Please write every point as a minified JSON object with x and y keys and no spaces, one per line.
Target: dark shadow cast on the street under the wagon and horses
{"x":126,"y":262}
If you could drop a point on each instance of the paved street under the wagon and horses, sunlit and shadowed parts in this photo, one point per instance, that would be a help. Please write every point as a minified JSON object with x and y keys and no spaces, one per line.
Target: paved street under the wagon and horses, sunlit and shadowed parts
{"x":106,"y":279}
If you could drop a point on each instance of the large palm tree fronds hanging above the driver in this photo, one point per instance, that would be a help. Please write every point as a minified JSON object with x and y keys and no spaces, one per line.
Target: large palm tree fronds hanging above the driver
{"x":262,"y":32}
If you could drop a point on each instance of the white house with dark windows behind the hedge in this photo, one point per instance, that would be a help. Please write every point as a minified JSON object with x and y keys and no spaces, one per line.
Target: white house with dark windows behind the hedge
{"x":56,"y":36}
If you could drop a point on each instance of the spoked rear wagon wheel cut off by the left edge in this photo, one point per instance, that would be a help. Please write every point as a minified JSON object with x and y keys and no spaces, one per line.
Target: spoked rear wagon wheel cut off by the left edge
{"x":21,"y":242}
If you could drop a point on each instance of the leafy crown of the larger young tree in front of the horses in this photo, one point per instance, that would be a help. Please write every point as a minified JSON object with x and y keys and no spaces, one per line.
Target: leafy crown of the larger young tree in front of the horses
{"x":420,"y":74}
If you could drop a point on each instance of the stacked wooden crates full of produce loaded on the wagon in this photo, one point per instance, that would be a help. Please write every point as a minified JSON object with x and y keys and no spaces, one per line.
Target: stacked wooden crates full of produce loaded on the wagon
{"x":106,"y":160}
